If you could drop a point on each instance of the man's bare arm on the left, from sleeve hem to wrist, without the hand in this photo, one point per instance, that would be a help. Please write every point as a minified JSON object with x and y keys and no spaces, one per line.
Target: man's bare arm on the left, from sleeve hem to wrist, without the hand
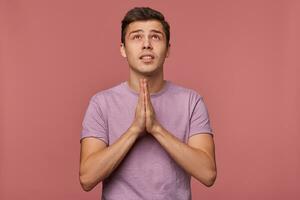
{"x":98,"y":161}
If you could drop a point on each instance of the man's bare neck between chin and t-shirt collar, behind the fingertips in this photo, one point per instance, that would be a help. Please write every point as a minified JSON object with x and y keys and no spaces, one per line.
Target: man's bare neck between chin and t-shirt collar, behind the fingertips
{"x":156,"y":83}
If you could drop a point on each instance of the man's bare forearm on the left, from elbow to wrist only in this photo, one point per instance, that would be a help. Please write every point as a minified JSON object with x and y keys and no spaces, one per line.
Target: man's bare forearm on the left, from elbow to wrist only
{"x":101,"y":164}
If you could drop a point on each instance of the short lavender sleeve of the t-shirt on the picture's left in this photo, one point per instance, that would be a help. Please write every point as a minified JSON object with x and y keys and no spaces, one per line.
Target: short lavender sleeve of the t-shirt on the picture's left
{"x":94,"y":124}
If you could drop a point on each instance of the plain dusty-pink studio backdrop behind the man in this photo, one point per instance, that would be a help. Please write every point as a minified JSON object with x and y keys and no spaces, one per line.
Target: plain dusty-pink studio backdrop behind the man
{"x":240,"y":55}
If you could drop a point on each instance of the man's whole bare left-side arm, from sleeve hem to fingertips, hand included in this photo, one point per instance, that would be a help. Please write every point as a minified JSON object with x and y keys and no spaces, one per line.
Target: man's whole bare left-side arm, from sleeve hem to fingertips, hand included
{"x":97,"y":161}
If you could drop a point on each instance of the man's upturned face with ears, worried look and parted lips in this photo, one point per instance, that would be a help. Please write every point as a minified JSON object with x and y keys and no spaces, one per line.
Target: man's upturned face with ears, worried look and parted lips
{"x":145,"y":47}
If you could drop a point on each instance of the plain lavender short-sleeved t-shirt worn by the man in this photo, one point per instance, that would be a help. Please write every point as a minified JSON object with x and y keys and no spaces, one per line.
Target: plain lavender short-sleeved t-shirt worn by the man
{"x":147,"y":171}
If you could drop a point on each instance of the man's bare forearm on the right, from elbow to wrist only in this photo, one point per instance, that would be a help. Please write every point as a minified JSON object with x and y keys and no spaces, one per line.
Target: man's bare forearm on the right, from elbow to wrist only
{"x":194,"y":161}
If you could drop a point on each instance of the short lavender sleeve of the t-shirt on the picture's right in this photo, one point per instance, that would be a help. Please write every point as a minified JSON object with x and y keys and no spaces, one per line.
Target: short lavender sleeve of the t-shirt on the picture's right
{"x":199,"y":120}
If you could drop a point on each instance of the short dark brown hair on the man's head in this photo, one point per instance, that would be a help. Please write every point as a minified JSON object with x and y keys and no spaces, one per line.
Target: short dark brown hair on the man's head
{"x":142,"y":14}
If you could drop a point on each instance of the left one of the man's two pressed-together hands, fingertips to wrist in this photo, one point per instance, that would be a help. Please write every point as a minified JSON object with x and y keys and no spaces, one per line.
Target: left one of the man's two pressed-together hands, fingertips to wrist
{"x":139,"y":122}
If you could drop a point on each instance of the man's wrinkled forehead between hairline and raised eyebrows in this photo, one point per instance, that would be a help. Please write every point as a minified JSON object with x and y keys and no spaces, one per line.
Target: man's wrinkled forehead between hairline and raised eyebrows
{"x":145,"y":26}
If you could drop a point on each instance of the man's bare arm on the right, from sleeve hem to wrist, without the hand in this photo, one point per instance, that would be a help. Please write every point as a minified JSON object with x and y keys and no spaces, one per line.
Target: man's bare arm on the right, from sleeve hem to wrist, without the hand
{"x":196,"y":158}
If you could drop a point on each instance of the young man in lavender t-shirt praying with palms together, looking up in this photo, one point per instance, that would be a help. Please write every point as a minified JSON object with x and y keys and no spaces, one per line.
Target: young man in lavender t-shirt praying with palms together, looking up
{"x":147,"y":136}
